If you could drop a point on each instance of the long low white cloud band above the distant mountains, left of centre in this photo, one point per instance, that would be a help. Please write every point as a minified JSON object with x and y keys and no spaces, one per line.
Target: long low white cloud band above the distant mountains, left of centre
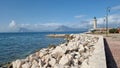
{"x":39,"y":26}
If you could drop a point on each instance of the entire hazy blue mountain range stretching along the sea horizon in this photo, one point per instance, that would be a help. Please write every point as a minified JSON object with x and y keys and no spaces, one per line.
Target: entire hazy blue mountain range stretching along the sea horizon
{"x":61,"y":28}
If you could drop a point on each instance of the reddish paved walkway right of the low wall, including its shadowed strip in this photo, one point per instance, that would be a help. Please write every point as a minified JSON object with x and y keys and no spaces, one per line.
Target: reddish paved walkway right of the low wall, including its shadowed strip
{"x":112,"y":46}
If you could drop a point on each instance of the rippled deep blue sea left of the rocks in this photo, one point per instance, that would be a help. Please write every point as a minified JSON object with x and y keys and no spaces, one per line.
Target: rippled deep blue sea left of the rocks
{"x":18,"y":45}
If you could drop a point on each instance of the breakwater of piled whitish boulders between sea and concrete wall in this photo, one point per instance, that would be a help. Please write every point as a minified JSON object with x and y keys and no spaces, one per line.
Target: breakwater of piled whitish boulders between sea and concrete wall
{"x":75,"y":53}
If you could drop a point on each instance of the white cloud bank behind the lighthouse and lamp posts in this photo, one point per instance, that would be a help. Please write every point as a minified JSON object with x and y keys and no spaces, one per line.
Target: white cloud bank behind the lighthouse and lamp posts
{"x":113,"y":21}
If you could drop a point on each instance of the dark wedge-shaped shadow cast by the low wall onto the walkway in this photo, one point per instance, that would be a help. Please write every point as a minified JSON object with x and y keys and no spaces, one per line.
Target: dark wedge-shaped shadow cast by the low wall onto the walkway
{"x":109,"y":57}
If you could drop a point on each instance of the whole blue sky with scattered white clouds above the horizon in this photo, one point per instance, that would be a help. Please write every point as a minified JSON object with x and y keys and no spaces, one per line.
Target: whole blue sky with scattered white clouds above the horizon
{"x":50,"y":14}
